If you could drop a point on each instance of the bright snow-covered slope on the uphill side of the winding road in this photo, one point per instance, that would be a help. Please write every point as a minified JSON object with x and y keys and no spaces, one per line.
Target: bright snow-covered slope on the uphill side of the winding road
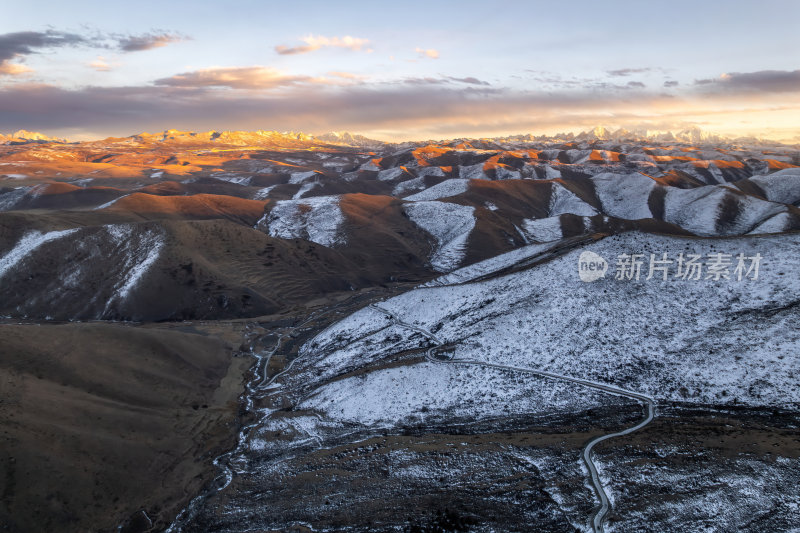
{"x":707,"y":341}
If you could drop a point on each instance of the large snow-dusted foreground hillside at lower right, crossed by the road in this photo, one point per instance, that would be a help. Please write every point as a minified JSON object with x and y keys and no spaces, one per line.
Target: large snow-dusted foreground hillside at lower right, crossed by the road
{"x":487,"y":373}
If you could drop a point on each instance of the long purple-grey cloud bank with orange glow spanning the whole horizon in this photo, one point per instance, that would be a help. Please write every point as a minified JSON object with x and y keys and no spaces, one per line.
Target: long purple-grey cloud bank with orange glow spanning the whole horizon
{"x":428,"y":108}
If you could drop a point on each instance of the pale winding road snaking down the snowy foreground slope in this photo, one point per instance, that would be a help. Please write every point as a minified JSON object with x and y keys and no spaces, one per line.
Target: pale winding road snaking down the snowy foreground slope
{"x":599,"y":517}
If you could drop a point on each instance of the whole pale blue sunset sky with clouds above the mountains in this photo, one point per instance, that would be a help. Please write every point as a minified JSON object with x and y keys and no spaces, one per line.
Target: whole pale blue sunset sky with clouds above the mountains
{"x":400,"y":70}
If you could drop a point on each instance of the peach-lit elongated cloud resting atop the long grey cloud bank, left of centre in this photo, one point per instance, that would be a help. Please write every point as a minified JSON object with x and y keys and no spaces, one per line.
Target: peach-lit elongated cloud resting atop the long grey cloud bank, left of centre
{"x":236,"y":78}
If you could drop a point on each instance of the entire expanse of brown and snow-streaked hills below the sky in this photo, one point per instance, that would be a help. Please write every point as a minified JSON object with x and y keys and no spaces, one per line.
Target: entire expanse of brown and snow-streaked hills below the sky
{"x":340,"y":330}
